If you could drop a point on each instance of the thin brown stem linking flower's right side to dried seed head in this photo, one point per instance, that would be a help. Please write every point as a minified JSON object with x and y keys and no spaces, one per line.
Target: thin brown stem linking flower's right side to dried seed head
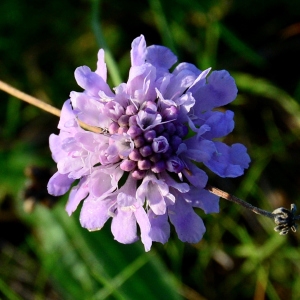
{"x":239,"y":201}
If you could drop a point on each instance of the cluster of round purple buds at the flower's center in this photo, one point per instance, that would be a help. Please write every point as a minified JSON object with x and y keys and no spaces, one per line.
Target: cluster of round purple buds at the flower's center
{"x":155,"y":137}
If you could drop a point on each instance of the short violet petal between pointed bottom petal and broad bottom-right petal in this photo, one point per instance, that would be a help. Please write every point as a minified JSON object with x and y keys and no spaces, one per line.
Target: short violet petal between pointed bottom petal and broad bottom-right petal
{"x":160,"y":227}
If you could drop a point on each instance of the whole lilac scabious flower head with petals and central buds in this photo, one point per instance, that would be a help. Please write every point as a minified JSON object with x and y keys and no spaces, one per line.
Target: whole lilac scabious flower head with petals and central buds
{"x":159,"y":128}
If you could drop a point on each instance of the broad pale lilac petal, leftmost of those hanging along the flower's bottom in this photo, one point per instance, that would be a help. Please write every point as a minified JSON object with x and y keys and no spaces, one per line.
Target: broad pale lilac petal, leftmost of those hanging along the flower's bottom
{"x":94,"y":213}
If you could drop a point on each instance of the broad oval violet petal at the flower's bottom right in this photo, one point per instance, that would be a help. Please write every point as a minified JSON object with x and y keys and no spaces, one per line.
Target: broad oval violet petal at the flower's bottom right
{"x":188,"y":225}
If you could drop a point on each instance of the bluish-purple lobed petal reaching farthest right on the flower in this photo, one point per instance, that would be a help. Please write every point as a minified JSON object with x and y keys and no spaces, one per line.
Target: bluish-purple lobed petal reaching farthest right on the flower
{"x":229,"y":161}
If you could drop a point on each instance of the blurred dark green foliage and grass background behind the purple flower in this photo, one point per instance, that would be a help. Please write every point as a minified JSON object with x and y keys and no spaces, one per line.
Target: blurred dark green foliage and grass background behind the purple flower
{"x":47,"y":255}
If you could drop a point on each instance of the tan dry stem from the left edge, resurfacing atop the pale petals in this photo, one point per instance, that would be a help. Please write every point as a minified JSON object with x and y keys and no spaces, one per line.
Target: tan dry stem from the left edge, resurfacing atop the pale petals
{"x":42,"y":105}
